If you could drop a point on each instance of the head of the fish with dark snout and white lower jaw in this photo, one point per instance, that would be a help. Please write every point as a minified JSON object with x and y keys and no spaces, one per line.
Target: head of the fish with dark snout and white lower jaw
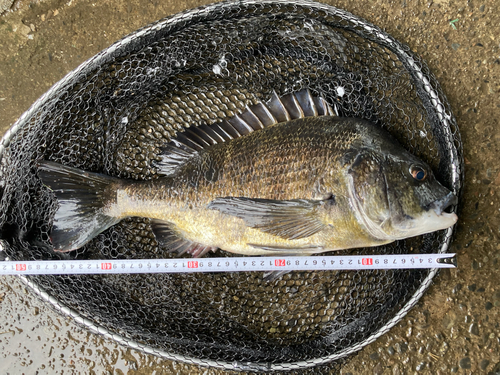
{"x":397,"y":196}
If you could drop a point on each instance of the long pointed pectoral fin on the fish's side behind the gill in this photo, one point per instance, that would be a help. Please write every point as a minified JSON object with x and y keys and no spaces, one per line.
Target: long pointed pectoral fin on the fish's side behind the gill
{"x":288,"y":219}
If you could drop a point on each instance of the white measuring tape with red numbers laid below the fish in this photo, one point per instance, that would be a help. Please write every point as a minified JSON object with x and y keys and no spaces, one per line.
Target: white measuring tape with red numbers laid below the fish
{"x":303,"y":263}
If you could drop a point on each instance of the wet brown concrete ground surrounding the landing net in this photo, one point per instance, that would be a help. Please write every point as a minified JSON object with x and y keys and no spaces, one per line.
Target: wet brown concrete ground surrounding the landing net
{"x":455,"y":328}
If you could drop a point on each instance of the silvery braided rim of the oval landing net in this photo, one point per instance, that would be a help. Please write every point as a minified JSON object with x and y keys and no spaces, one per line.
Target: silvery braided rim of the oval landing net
{"x":379,"y":36}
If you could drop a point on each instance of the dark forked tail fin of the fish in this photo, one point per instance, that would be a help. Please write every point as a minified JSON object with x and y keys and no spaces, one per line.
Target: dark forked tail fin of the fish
{"x":82,"y":197}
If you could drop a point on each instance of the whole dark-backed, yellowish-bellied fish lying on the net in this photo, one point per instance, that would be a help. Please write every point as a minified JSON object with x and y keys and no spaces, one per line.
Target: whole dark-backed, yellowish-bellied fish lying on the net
{"x":285,"y":177}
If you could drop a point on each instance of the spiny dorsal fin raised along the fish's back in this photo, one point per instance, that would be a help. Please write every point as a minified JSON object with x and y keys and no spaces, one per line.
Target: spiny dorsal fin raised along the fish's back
{"x":255,"y":117}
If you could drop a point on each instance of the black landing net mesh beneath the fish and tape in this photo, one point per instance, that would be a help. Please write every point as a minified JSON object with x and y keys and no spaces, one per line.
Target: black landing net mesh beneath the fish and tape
{"x":114,"y":113}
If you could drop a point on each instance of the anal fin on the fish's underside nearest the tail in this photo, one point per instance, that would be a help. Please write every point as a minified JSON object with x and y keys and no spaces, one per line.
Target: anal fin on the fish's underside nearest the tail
{"x":170,"y":239}
